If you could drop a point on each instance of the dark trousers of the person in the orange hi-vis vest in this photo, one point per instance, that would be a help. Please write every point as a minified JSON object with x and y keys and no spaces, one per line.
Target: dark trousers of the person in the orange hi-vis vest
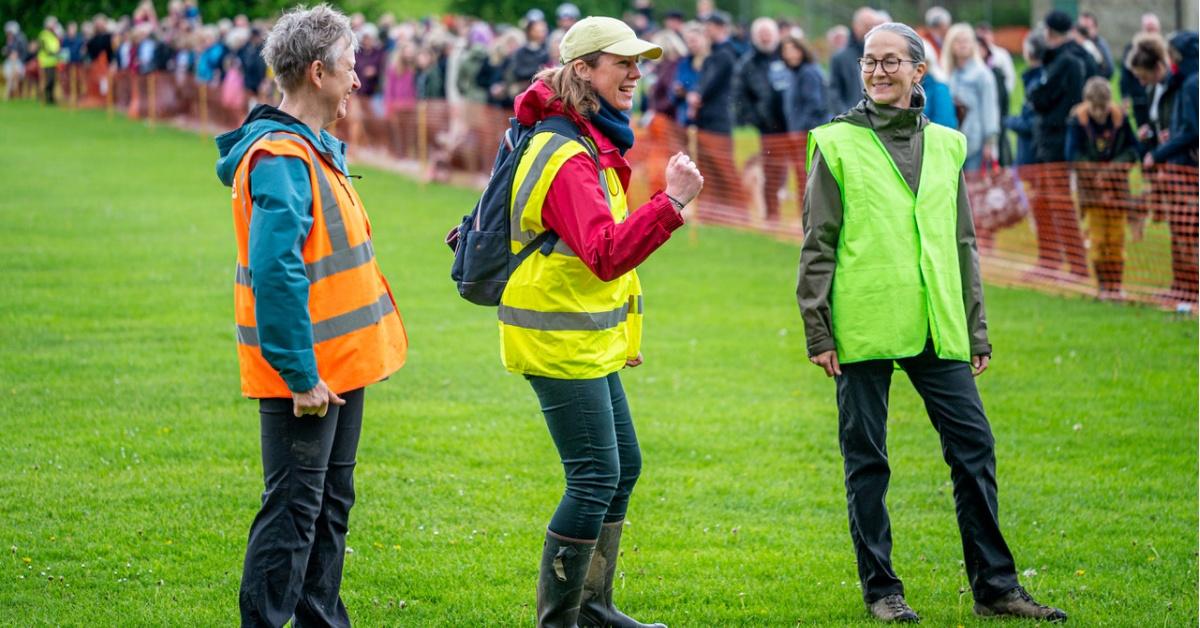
{"x":298,"y":541}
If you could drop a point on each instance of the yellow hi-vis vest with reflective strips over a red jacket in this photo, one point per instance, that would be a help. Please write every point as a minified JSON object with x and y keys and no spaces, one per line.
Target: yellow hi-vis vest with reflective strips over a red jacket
{"x":556,"y":318}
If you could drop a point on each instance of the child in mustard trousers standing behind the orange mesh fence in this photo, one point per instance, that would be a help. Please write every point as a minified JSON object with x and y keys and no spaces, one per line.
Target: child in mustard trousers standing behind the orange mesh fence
{"x":1101,"y":145}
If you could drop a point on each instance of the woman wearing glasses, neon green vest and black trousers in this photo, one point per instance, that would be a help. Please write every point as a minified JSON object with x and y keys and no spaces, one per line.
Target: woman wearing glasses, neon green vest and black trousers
{"x":890,"y":273}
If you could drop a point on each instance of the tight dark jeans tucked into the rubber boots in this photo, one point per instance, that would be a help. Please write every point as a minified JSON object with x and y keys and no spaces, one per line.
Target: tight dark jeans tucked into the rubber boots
{"x":592,"y":429}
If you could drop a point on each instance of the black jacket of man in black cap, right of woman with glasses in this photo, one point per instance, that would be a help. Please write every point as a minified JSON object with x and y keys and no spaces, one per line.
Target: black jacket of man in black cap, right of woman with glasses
{"x":1053,"y":99}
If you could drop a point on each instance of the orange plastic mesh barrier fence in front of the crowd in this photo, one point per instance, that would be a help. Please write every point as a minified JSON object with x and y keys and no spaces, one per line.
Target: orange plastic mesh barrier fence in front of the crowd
{"x":1113,"y":231}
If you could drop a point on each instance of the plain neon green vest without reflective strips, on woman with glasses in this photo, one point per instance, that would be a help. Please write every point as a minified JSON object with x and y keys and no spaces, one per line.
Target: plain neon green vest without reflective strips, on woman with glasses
{"x":897,"y":280}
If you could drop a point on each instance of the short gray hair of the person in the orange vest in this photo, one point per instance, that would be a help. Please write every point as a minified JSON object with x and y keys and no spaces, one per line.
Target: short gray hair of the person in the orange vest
{"x":303,"y":37}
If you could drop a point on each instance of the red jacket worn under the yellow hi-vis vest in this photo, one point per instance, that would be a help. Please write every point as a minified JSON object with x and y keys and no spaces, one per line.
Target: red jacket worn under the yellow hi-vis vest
{"x":577,"y":208}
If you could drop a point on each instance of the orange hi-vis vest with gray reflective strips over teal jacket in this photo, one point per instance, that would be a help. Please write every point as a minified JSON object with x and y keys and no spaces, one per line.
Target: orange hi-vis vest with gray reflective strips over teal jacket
{"x":358,"y":336}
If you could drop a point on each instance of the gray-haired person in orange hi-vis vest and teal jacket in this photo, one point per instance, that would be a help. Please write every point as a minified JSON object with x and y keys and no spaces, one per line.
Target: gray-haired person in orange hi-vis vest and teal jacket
{"x":316,"y":320}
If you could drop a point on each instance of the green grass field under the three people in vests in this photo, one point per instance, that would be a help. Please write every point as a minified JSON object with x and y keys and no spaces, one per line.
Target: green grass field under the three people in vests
{"x":131,"y":468}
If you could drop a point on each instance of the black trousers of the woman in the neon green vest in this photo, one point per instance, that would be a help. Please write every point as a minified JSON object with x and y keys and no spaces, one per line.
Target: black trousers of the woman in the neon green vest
{"x":953,"y":404}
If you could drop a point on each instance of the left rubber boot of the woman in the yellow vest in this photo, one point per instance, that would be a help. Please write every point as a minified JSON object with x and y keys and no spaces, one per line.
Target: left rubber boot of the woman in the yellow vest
{"x":565,"y":564}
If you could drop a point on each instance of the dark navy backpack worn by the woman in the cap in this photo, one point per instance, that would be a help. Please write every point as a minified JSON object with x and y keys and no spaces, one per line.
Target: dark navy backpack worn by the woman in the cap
{"x":483,"y":259}
